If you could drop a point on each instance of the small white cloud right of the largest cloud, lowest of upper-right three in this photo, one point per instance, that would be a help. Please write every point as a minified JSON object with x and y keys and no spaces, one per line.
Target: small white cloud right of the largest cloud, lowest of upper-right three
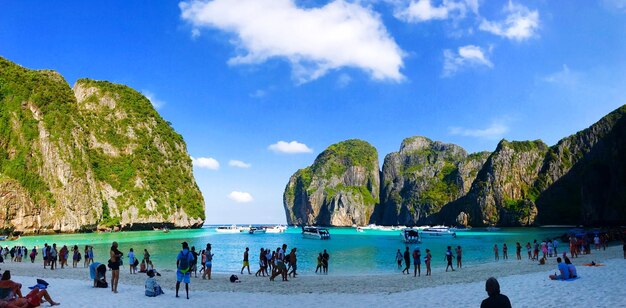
{"x":469,"y":55}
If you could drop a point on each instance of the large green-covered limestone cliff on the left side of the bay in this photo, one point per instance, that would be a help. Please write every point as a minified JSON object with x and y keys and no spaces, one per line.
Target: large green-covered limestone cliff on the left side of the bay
{"x":96,"y":156}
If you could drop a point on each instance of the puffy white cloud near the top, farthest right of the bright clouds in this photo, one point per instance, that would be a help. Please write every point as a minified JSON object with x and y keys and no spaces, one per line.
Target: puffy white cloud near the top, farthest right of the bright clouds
{"x":520,"y":23}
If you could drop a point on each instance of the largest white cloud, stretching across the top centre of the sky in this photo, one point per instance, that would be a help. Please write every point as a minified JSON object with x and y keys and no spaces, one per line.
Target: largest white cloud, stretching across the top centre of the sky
{"x":314,"y":40}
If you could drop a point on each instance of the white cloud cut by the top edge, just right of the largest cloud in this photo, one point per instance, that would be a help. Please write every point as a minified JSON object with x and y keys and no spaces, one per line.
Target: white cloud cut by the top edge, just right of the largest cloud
{"x":423,"y":10}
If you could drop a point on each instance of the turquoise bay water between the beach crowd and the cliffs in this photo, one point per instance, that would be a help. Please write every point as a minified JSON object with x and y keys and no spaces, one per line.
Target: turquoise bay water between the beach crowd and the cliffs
{"x":371,"y":251}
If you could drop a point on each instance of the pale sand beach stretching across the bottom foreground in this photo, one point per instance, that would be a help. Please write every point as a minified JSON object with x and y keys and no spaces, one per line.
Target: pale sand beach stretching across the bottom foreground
{"x":524,"y":282}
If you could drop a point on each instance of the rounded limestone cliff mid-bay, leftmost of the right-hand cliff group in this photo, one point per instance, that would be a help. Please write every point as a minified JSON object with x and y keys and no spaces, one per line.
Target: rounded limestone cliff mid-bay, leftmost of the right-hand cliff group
{"x":339,"y":189}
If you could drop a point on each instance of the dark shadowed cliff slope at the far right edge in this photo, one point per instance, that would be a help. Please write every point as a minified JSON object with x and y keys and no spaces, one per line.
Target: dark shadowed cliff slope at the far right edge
{"x":583,"y":180}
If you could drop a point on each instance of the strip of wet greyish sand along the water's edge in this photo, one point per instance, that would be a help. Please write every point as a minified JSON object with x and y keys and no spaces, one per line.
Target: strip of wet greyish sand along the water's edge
{"x":393,"y":282}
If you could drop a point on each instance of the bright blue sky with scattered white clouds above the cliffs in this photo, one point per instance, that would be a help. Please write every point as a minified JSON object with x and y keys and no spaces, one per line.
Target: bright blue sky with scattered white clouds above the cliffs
{"x":258,"y":88}
